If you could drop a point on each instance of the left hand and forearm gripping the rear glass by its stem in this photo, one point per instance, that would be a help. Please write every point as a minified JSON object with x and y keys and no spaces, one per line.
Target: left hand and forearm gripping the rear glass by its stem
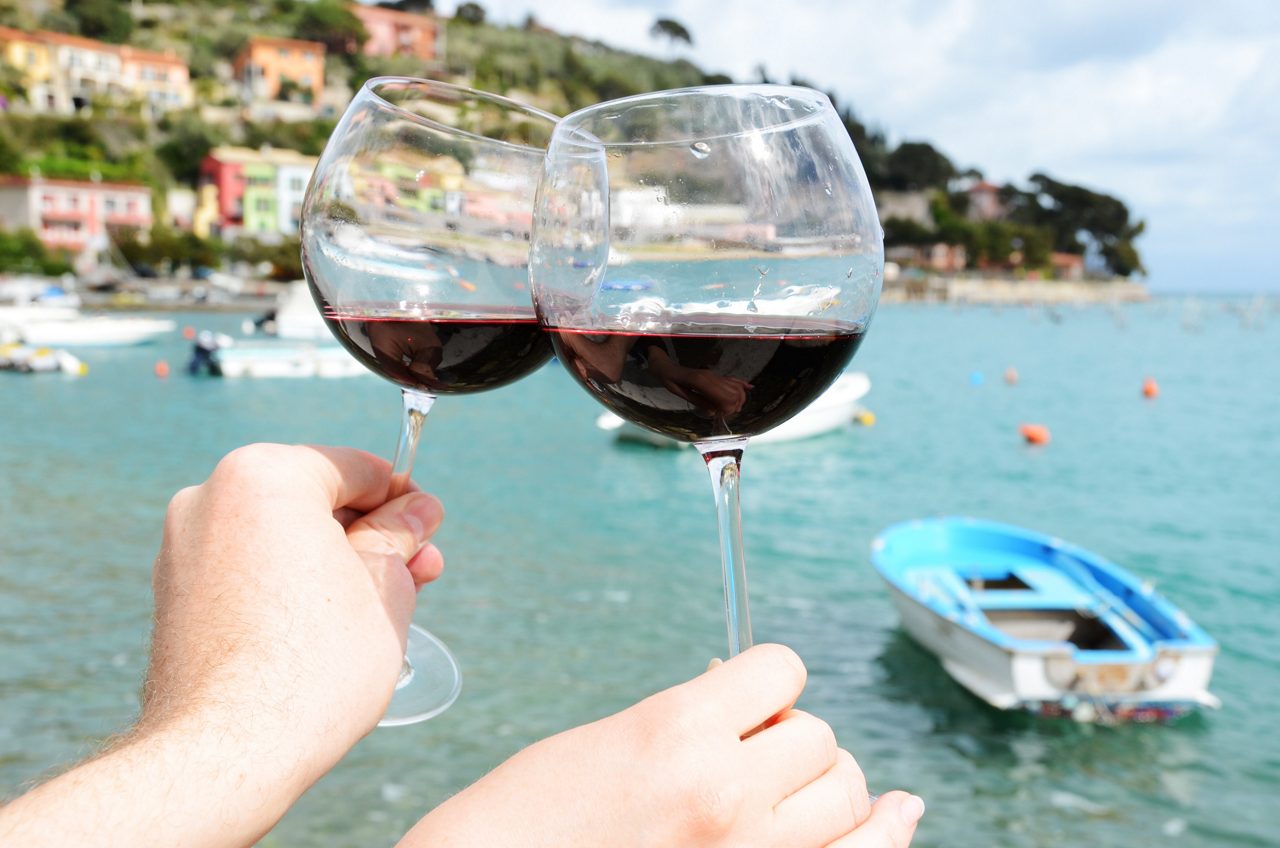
{"x":282,"y":608}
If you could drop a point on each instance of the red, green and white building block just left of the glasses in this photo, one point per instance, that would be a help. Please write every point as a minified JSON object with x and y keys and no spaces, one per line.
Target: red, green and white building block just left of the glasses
{"x":252,"y":193}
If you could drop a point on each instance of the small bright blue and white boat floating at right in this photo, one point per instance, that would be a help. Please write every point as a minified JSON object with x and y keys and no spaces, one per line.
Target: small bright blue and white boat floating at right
{"x":1027,"y":622}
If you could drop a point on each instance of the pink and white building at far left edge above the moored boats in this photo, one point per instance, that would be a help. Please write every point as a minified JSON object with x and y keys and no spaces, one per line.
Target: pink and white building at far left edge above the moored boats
{"x":70,"y":215}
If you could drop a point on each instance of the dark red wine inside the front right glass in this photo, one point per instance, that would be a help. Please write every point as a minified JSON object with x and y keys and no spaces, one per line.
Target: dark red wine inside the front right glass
{"x":708,"y":379}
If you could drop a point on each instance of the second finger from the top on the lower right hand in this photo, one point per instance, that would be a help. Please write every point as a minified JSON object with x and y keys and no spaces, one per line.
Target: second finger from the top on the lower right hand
{"x":793,"y":754}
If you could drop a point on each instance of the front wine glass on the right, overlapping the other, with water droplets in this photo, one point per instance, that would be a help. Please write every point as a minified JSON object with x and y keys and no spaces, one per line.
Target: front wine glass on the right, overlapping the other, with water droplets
{"x":707,"y":262}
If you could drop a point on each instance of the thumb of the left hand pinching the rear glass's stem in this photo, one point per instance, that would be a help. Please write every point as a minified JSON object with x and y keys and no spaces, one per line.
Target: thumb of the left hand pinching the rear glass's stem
{"x":390,"y":537}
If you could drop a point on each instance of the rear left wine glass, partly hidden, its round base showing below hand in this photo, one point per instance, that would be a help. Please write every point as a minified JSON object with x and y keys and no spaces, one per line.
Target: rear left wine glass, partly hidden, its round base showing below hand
{"x":415,"y":244}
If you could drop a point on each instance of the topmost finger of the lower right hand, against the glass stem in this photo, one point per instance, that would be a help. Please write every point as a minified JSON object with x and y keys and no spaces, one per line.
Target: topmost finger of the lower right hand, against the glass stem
{"x":751,"y":689}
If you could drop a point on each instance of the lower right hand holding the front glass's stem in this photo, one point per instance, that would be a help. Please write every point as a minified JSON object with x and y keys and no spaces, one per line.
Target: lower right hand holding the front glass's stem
{"x":675,"y":771}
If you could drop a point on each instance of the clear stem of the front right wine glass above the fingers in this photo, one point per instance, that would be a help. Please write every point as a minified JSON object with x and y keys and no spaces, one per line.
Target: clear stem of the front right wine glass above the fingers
{"x":724,"y":462}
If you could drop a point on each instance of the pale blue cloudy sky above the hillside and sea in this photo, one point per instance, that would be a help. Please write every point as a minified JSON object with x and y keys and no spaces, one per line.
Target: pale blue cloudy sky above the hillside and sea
{"x":1171,"y":106}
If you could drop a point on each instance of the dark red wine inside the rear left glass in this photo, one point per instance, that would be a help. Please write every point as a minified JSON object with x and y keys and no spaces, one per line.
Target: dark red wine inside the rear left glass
{"x":444,"y":354}
